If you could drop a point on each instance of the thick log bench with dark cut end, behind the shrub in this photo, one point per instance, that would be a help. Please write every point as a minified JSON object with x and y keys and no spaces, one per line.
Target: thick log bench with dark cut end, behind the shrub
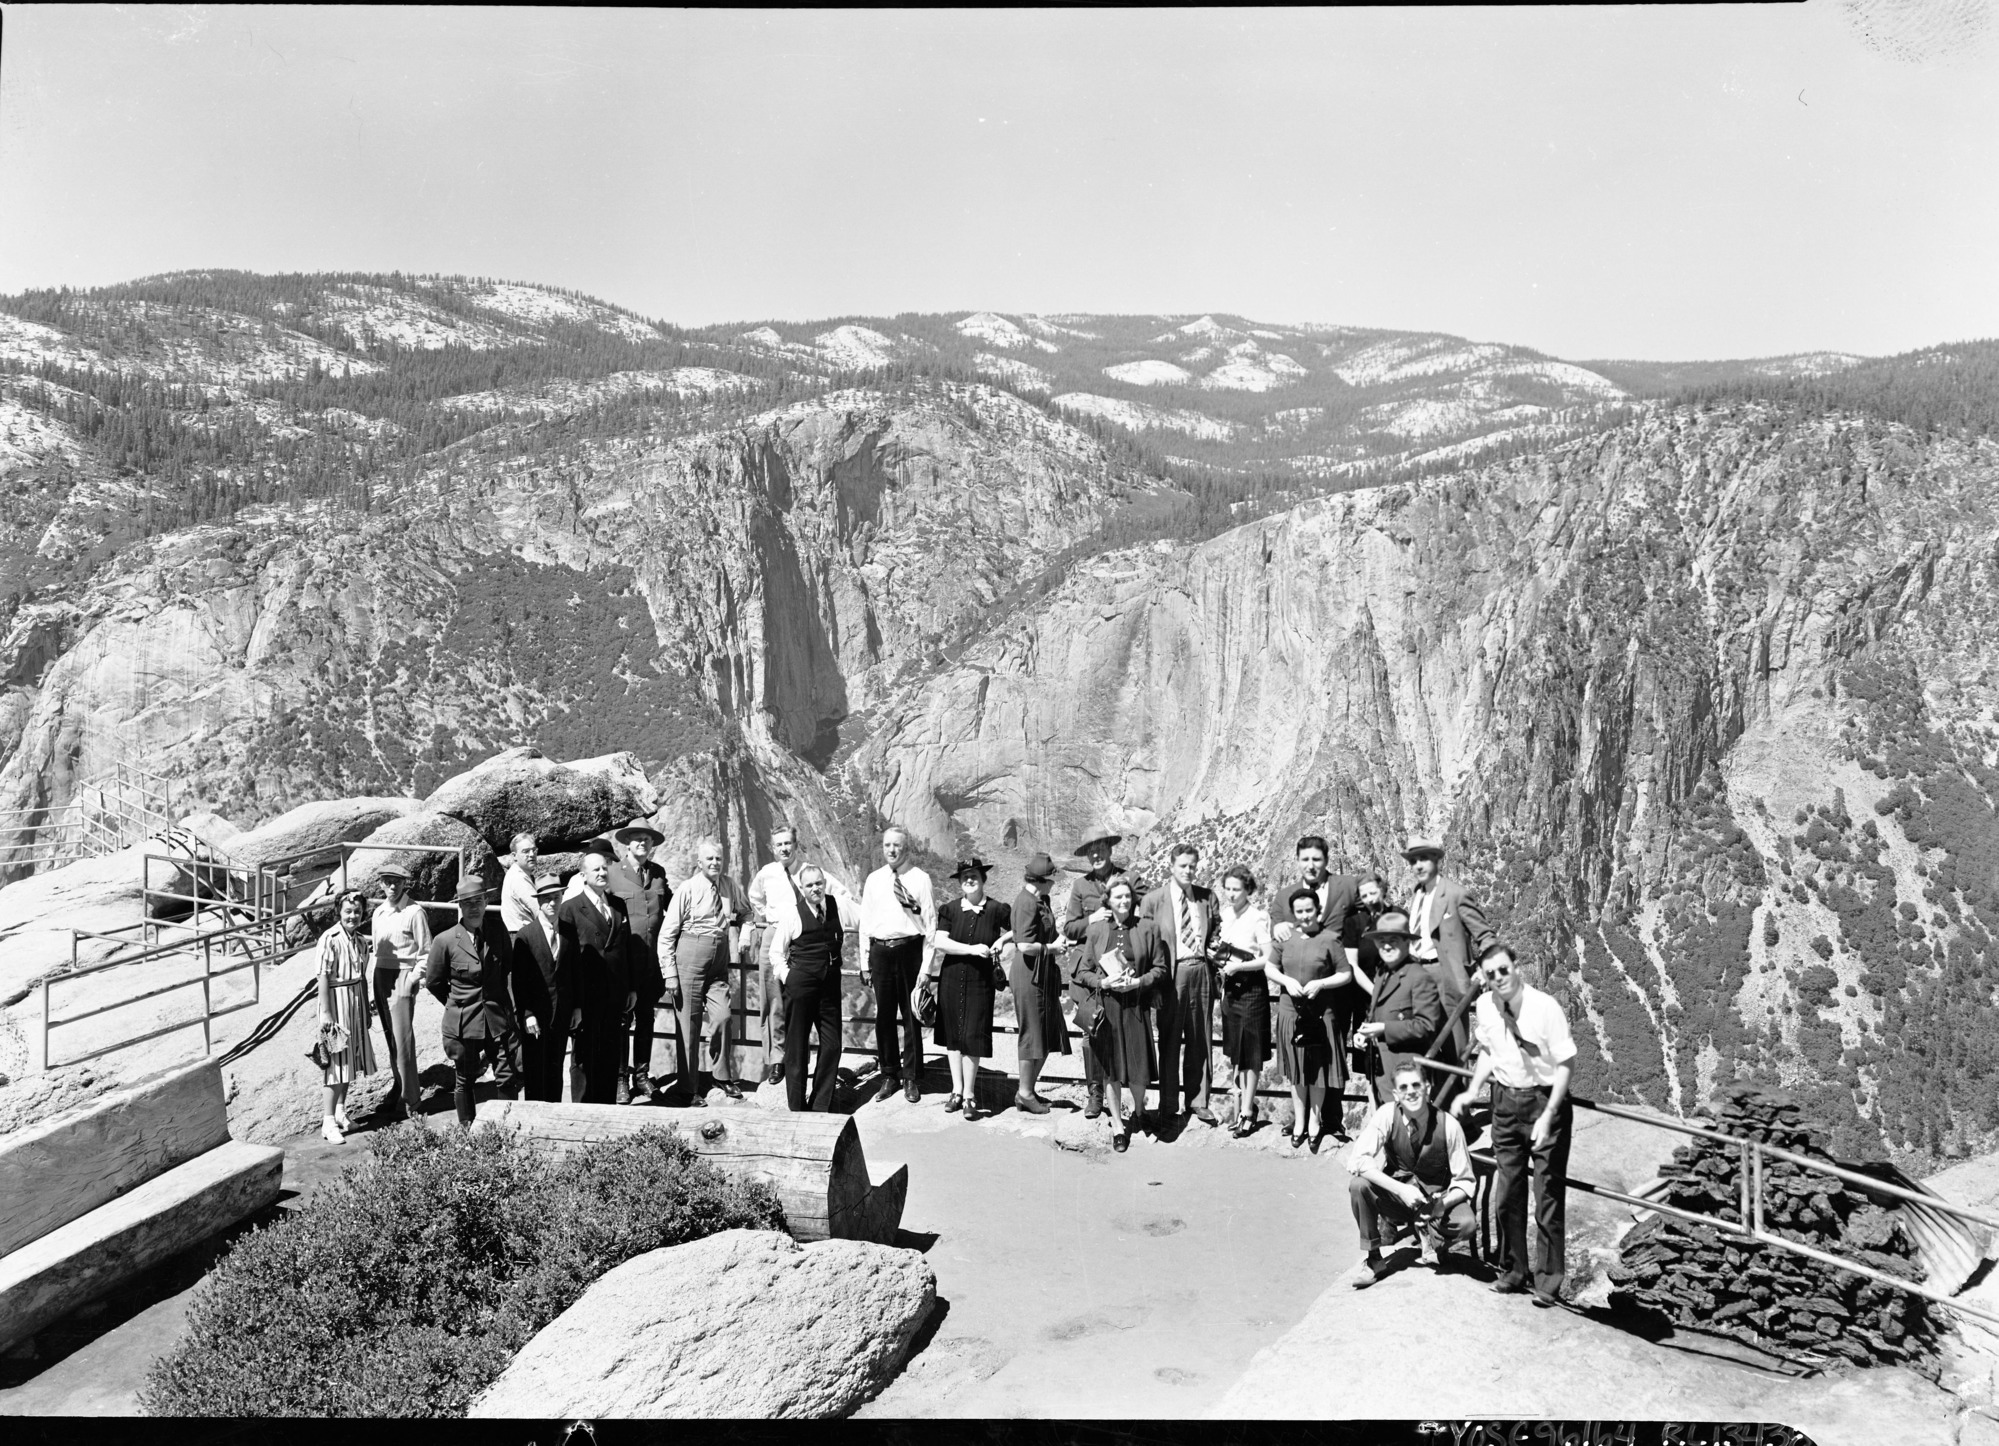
{"x":813,"y":1161}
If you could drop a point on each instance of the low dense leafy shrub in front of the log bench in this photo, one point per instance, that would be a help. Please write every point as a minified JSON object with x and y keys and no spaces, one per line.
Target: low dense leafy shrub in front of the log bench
{"x":409,"y":1285}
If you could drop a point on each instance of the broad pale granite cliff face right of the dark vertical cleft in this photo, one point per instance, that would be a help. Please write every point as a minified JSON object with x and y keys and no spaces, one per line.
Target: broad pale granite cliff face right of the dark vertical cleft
{"x":1616,"y":679}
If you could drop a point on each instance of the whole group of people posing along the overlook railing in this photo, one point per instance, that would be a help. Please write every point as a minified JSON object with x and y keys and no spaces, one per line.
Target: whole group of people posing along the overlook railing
{"x":1330,"y":981}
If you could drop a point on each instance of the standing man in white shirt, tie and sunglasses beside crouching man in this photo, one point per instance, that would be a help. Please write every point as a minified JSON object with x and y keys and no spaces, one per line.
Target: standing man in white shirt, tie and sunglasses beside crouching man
{"x":1526,"y":1051}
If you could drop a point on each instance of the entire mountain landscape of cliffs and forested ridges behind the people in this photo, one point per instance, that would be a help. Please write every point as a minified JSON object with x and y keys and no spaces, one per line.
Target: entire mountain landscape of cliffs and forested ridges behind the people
{"x":1698,"y":691}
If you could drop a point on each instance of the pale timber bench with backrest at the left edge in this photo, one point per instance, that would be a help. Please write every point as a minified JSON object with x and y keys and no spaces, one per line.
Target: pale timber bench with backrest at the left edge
{"x":129,"y":1181}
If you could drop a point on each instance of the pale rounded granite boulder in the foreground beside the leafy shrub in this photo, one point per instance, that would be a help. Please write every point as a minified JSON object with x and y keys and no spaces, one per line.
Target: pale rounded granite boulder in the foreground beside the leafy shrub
{"x":745,"y":1323}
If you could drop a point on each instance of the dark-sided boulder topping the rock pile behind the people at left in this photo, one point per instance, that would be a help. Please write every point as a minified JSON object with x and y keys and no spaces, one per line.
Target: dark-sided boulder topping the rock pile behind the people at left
{"x":561,"y":805}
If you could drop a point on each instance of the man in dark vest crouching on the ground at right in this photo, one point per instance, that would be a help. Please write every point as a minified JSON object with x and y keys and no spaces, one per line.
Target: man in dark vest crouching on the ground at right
{"x":1410,"y":1167}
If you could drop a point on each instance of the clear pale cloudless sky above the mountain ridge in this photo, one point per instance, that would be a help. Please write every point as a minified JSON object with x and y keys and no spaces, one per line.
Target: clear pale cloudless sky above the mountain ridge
{"x":1666,"y":183}
